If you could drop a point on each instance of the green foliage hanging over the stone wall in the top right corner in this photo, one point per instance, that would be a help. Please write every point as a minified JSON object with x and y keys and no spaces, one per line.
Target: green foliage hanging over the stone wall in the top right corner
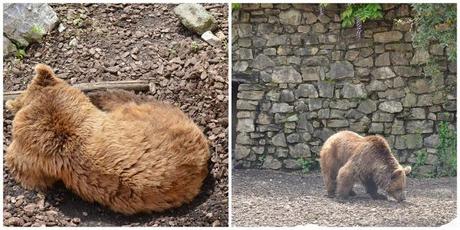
{"x":435,"y":23}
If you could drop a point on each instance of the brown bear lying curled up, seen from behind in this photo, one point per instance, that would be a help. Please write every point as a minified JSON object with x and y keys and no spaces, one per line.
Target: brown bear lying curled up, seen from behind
{"x":130,"y":156}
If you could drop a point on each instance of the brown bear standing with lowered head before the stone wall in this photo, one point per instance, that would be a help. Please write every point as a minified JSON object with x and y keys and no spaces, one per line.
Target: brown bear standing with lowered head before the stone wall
{"x":347,"y":158}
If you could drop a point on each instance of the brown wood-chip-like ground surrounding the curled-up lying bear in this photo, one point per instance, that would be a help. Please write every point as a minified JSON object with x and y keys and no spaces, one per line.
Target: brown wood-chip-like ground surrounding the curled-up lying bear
{"x":126,"y":42}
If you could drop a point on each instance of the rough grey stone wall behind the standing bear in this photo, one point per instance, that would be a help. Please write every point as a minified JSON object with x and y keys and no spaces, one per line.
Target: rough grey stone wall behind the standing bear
{"x":302,"y":78}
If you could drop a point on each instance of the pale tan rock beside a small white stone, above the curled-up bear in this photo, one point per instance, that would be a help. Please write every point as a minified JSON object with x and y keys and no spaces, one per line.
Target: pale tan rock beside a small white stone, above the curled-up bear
{"x":195,"y":17}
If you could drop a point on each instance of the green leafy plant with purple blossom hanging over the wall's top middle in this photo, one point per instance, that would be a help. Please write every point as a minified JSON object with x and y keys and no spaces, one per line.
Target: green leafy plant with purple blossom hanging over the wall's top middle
{"x":360,"y":13}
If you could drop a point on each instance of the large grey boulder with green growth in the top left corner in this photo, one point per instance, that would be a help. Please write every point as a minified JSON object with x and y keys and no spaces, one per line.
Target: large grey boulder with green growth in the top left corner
{"x":26,"y":23}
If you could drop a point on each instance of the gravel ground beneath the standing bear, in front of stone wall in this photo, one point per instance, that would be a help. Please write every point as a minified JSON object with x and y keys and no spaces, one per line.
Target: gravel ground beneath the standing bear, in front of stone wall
{"x":269,"y":198}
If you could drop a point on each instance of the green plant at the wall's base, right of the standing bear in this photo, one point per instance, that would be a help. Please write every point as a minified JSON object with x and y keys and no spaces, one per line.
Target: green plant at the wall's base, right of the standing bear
{"x":446,"y":151}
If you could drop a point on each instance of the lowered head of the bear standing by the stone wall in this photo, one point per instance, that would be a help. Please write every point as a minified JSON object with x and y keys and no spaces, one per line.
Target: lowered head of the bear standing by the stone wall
{"x":397,"y":188}
